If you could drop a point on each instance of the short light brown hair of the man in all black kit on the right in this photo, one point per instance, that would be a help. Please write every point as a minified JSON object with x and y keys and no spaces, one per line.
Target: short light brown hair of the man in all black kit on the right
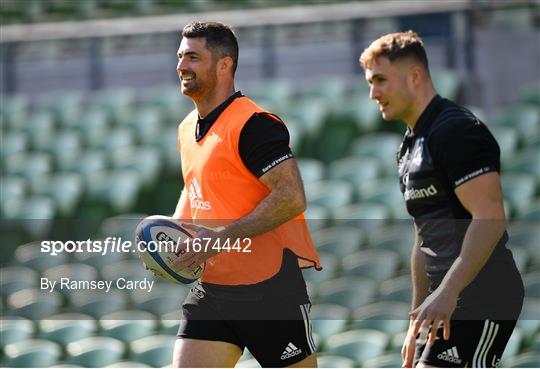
{"x":396,"y":46}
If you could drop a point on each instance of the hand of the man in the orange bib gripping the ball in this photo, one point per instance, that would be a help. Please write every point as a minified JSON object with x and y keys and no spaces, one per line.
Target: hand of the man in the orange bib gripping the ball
{"x":192,"y":259}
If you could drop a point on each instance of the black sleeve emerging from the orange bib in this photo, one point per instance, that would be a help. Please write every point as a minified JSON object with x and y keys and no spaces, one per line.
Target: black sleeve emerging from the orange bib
{"x":263,"y":144}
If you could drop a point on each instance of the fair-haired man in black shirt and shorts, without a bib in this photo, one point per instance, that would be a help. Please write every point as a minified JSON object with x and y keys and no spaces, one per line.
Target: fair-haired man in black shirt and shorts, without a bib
{"x":467,"y":291}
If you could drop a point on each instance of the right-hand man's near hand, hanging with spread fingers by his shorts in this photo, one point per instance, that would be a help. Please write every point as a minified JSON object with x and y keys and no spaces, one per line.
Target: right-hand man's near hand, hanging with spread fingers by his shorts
{"x":436,"y":309}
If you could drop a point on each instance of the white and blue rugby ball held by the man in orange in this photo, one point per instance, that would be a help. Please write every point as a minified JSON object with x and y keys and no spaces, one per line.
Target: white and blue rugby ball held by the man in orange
{"x":157,"y":237}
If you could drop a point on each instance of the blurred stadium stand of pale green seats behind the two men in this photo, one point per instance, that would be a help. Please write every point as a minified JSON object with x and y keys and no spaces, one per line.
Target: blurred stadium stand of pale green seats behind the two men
{"x":90,"y":105}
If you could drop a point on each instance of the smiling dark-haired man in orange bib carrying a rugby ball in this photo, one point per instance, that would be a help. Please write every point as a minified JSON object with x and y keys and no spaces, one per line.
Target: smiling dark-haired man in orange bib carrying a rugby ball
{"x":240,"y":175}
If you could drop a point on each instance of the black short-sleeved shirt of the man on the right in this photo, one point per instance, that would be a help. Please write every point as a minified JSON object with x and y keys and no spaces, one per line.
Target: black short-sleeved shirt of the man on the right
{"x":448,"y":147}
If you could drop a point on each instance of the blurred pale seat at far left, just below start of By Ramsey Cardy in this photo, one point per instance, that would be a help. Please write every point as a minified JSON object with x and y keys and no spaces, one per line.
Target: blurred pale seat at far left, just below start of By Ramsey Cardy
{"x":33,"y":303}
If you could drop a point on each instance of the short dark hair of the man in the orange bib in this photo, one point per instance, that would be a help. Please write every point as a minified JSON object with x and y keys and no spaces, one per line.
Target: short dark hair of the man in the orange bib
{"x":220,"y":39}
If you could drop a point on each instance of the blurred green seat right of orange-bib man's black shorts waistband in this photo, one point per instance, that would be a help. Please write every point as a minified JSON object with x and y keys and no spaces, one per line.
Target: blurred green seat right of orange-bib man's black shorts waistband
{"x":347,"y":292}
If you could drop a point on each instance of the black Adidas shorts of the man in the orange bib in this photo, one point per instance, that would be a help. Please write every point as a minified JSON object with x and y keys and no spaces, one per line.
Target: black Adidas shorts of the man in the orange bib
{"x":276,"y":331}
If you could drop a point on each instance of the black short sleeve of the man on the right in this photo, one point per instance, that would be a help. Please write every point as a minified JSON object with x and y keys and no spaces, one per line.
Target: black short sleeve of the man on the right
{"x":464,"y":149}
